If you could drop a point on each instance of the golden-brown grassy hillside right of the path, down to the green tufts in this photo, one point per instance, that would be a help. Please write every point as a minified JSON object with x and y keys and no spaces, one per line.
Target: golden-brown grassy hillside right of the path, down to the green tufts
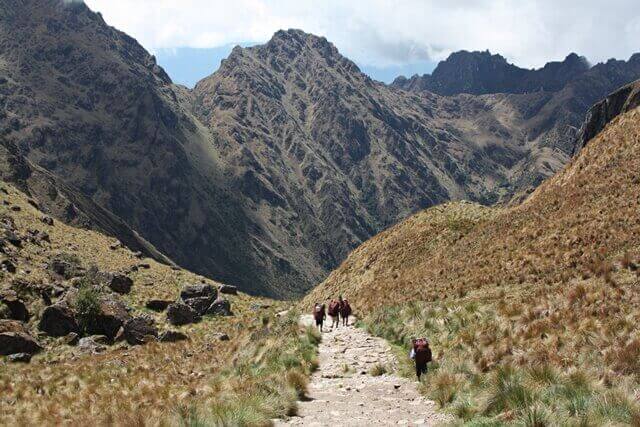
{"x":532,"y":310}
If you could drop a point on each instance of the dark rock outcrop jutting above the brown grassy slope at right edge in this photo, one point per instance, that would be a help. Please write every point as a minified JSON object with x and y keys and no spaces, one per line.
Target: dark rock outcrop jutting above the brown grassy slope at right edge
{"x":622,"y":100}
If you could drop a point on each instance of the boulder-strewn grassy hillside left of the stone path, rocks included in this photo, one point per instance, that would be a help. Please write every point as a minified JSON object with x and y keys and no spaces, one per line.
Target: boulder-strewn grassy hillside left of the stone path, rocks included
{"x":64,"y":291}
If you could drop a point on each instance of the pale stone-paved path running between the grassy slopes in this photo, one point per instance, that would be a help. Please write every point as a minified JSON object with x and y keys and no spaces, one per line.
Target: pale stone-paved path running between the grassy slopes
{"x":339,"y":397}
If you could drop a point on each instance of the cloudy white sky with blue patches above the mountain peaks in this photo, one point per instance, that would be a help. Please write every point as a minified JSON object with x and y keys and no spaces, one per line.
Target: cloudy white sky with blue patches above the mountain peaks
{"x":385,"y":38}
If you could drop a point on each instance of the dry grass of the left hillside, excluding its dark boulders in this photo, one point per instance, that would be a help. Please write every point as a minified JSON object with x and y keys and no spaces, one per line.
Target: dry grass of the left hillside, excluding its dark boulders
{"x":255,"y":375}
